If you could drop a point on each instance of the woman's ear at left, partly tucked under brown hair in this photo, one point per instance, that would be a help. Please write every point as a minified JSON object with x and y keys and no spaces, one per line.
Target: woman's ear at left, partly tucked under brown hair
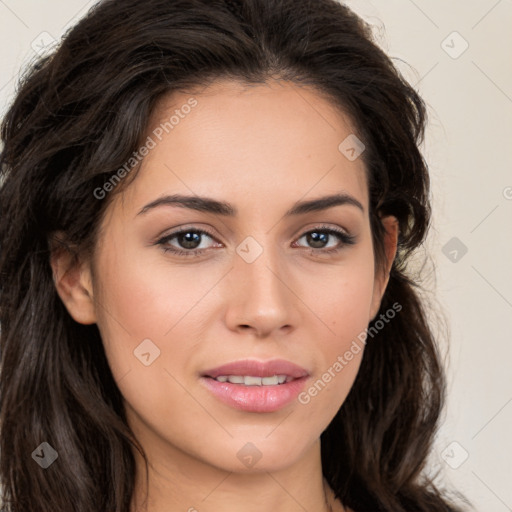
{"x":73,"y":281}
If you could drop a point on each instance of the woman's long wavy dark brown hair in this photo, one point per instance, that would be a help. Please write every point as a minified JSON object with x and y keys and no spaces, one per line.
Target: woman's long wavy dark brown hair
{"x":77,"y":118}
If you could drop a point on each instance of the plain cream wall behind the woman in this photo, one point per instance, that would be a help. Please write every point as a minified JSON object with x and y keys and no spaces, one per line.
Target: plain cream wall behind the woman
{"x":468,"y":148}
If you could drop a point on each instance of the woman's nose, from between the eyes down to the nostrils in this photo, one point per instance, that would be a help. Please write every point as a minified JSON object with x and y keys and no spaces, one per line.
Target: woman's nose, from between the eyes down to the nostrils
{"x":261,"y":296}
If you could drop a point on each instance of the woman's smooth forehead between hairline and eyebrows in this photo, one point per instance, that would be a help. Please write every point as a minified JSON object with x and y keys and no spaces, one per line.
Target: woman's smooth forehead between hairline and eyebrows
{"x":276,"y":140}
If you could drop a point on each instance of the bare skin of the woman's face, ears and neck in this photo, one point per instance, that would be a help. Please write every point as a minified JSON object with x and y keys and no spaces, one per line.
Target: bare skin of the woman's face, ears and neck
{"x":261,"y":148}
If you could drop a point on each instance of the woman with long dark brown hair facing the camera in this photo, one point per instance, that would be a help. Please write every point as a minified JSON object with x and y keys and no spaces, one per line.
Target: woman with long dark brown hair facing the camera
{"x":207,"y":211}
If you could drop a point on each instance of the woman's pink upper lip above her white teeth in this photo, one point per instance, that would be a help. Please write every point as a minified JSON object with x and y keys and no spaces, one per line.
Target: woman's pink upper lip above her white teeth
{"x":254,"y":368}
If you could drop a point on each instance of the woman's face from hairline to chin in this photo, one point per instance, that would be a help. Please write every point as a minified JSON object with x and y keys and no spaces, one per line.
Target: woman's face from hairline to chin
{"x":255,"y":276}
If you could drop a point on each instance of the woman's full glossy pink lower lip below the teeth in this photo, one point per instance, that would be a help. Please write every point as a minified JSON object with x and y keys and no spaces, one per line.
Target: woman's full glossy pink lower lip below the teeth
{"x":255,"y":398}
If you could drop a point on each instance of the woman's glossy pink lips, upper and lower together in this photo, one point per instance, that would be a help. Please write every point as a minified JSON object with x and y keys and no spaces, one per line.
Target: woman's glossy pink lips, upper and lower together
{"x":256,"y":398}
